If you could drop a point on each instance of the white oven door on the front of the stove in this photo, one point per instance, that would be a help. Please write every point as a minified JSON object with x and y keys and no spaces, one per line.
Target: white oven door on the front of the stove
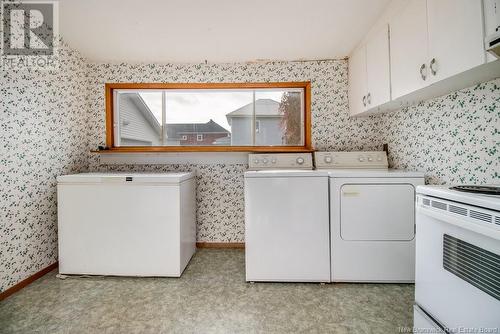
{"x":457,"y":279}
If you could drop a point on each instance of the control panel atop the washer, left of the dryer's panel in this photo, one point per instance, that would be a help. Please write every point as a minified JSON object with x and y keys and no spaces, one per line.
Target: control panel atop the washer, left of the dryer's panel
{"x":280,"y":161}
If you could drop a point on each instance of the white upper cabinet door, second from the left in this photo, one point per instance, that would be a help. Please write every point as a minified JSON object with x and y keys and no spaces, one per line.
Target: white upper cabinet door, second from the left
{"x":378,"y":69}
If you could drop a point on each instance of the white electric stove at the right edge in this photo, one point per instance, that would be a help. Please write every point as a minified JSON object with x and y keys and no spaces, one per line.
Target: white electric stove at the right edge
{"x":457,"y":282}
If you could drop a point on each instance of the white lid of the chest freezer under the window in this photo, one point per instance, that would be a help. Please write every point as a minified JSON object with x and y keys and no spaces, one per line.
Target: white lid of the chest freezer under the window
{"x":173,"y":178}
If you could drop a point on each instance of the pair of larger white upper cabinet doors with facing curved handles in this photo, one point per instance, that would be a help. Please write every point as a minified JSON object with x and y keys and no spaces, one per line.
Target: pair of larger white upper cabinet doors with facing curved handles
{"x":433,"y":40}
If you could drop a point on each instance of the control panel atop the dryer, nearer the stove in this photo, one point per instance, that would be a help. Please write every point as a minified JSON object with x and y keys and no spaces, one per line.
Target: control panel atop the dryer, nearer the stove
{"x":368,"y":160}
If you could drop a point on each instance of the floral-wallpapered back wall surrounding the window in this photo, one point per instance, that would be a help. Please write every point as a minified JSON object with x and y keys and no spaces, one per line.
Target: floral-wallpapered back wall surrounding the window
{"x":220,"y":211}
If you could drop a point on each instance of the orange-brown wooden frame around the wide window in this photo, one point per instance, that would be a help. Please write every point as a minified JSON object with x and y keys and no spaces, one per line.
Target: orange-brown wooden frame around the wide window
{"x":110,"y":87}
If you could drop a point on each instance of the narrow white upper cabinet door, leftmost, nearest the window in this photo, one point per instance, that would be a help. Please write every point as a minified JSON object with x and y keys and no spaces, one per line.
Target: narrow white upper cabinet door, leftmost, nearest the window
{"x":357,"y":81}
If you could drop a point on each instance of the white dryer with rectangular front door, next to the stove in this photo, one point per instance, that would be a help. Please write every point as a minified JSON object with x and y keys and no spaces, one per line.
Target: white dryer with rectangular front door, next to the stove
{"x":372,"y":217}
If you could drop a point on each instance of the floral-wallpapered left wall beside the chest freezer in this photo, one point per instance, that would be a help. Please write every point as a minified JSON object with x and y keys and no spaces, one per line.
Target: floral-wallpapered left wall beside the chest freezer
{"x":43,"y":134}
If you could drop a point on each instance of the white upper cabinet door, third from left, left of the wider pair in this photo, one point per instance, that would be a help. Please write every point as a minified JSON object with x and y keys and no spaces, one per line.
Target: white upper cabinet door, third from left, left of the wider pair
{"x":408,"y":40}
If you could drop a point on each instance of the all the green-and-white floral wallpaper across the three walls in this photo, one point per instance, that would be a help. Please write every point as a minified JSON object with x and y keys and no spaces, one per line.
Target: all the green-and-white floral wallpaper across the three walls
{"x":51,"y":120}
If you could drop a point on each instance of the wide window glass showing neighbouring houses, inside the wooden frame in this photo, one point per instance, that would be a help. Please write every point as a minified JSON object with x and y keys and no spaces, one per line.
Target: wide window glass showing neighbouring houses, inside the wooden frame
{"x":209,"y":117}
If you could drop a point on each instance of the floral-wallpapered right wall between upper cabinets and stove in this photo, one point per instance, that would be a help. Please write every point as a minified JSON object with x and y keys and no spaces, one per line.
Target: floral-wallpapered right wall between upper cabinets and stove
{"x":453,"y":139}
